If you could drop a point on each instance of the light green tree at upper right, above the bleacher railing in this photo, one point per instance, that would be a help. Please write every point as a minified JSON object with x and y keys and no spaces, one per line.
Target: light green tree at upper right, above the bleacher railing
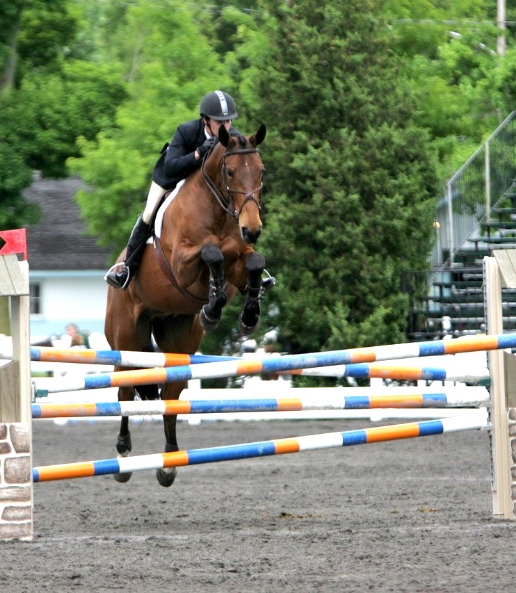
{"x":449,"y":62}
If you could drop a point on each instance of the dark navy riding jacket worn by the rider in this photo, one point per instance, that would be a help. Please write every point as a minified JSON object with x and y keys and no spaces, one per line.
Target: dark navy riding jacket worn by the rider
{"x":177,"y":161}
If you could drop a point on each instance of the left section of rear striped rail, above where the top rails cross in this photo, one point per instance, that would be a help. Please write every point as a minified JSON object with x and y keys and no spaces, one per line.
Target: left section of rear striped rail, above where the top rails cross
{"x":121,"y":358}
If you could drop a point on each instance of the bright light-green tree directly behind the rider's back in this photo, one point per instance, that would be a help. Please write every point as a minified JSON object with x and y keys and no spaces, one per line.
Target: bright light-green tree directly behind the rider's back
{"x":167,"y":78}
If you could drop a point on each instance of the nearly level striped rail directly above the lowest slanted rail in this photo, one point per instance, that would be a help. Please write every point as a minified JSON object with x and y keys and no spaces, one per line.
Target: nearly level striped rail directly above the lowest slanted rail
{"x":164,"y":407}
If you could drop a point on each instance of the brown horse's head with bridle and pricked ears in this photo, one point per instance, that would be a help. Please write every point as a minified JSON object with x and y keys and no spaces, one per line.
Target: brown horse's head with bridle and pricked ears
{"x":240,"y":180}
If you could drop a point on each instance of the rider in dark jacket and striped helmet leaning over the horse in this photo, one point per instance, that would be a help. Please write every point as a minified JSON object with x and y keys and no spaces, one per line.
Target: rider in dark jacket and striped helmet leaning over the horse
{"x":182,"y":156}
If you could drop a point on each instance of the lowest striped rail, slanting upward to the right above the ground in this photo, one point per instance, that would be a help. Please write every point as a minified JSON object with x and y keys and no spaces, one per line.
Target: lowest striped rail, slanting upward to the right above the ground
{"x":258,"y":449}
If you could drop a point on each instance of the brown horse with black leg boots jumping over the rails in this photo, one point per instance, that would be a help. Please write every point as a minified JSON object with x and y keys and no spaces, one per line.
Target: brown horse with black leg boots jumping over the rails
{"x":203,"y":256}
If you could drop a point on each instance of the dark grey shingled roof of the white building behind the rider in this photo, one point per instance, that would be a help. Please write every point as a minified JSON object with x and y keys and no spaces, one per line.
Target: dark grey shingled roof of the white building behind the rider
{"x":59,"y":241}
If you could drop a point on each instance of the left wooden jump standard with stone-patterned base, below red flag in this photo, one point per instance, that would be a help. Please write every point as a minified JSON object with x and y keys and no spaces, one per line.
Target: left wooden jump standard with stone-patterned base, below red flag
{"x":16,"y":491}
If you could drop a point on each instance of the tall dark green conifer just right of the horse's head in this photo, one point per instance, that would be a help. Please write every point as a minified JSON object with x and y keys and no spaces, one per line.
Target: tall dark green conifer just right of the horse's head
{"x":351,"y":183}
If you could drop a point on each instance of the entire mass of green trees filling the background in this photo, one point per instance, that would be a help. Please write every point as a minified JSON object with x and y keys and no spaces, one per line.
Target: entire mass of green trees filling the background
{"x":364,"y":103}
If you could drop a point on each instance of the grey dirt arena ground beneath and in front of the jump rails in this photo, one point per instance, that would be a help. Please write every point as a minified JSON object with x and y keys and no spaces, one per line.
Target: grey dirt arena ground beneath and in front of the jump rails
{"x":411,"y":515}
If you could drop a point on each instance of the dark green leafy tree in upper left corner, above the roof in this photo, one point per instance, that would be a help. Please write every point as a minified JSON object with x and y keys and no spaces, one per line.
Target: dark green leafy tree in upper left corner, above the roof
{"x":46,"y":100}
